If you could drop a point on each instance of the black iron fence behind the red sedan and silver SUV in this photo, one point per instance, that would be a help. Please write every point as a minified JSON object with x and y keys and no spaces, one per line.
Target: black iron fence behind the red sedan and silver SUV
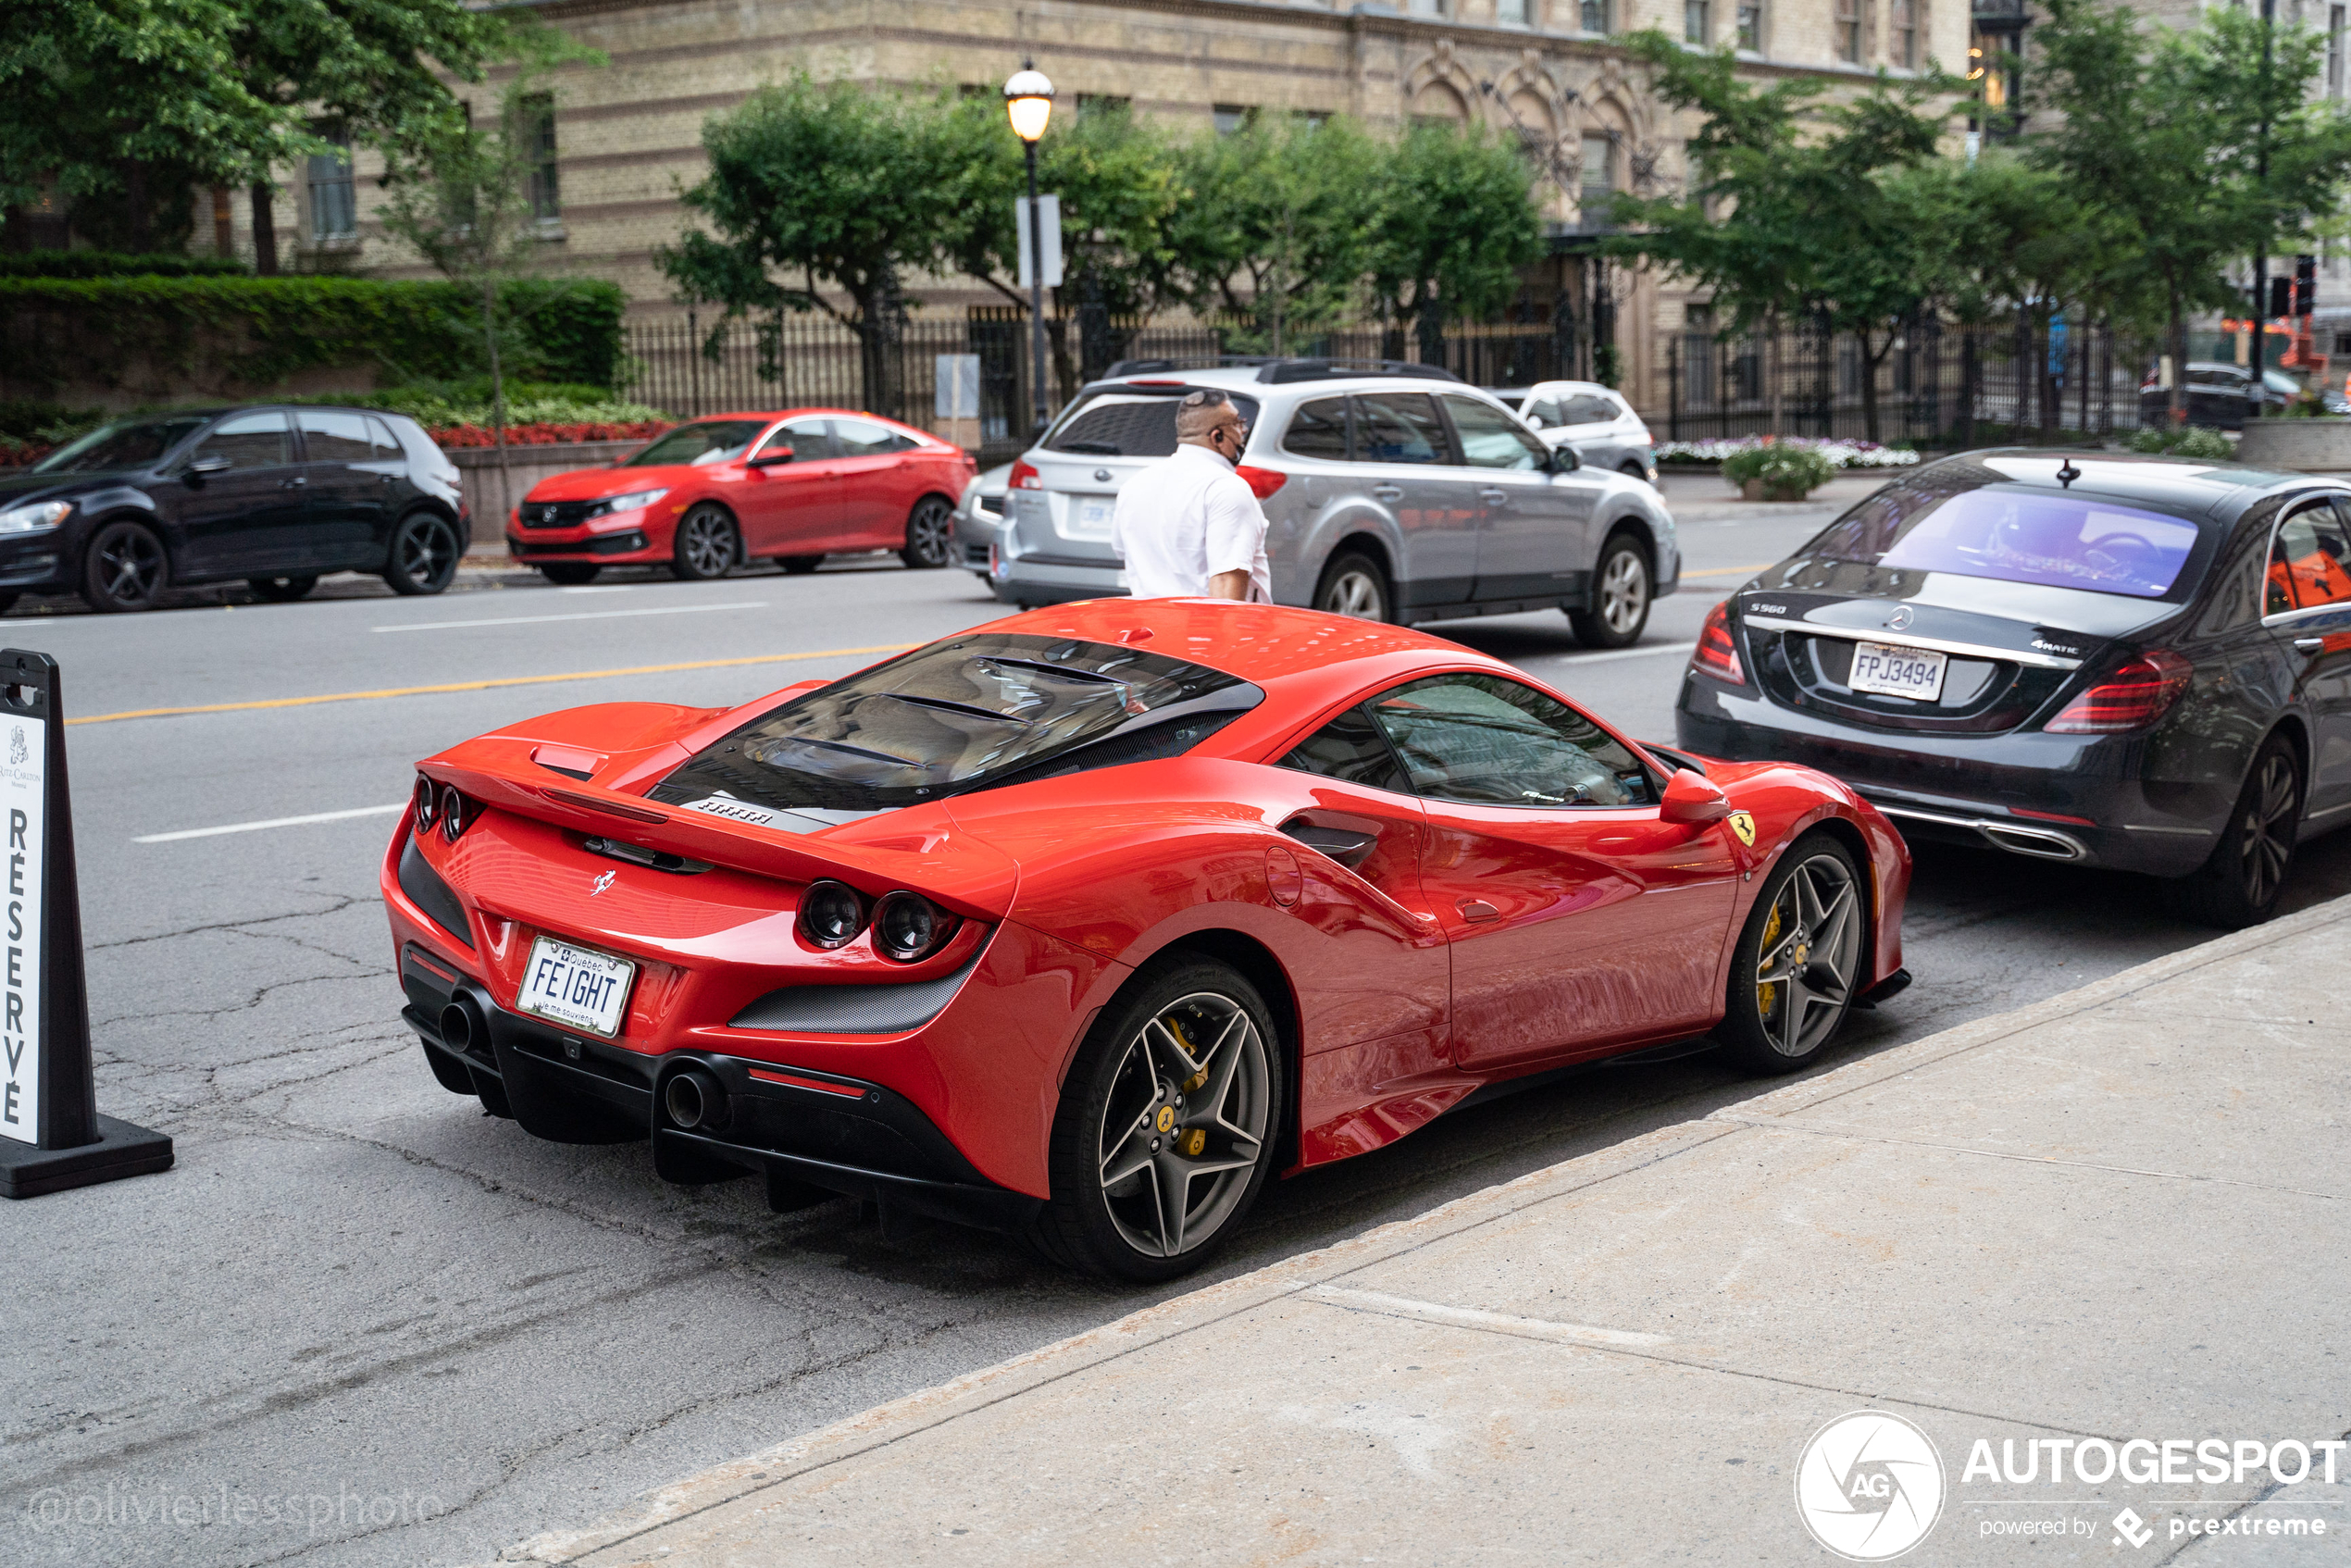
{"x":911,"y":368}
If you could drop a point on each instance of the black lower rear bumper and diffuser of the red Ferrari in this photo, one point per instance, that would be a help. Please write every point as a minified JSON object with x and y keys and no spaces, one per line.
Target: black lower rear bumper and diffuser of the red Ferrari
{"x":791,"y":1125}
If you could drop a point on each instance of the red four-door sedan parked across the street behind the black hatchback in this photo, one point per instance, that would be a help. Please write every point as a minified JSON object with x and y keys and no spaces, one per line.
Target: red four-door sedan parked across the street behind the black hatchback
{"x":737,"y":488}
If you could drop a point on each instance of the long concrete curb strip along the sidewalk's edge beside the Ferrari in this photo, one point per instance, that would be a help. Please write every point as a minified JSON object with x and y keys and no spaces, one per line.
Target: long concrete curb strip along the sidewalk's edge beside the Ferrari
{"x":1228,"y":1299}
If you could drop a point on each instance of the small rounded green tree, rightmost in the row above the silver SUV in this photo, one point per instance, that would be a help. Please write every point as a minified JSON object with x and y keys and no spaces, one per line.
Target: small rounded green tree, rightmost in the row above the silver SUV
{"x":1454,"y":225}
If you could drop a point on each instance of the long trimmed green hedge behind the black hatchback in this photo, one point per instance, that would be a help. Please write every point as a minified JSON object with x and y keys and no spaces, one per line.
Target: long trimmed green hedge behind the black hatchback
{"x":178,"y":337}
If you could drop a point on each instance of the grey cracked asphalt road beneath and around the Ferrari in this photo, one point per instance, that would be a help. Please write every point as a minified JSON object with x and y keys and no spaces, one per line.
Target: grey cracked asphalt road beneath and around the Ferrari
{"x":368,"y":1325}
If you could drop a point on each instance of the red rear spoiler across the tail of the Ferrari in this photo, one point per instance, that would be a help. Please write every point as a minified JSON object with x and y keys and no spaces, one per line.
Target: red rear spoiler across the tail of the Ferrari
{"x":923,"y":850}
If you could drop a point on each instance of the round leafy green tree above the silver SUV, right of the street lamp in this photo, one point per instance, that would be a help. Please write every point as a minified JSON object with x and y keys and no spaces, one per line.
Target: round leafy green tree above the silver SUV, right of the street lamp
{"x":1278,"y":225}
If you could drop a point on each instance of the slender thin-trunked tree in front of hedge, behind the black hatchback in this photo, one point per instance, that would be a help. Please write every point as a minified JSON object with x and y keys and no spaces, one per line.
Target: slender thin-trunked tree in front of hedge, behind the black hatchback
{"x":462,"y":199}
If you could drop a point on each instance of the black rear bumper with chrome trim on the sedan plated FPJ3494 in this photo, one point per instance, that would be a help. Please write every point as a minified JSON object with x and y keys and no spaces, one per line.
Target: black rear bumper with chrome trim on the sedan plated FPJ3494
{"x":2054,"y":798}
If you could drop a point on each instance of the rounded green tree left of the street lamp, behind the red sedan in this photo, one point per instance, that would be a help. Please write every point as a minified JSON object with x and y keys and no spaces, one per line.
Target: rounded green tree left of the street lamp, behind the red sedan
{"x":826,"y":185}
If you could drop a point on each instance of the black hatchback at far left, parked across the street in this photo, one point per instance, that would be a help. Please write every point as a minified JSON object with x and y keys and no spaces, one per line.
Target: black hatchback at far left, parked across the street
{"x":276,"y":497}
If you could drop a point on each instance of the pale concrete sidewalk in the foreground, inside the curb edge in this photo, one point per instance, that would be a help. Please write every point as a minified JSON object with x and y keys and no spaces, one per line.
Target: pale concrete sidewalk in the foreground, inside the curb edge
{"x":2117,"y":1214}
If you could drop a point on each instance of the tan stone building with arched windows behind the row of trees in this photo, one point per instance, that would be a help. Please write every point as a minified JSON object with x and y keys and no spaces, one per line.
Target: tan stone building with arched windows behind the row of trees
{"x":624,"y":140}
